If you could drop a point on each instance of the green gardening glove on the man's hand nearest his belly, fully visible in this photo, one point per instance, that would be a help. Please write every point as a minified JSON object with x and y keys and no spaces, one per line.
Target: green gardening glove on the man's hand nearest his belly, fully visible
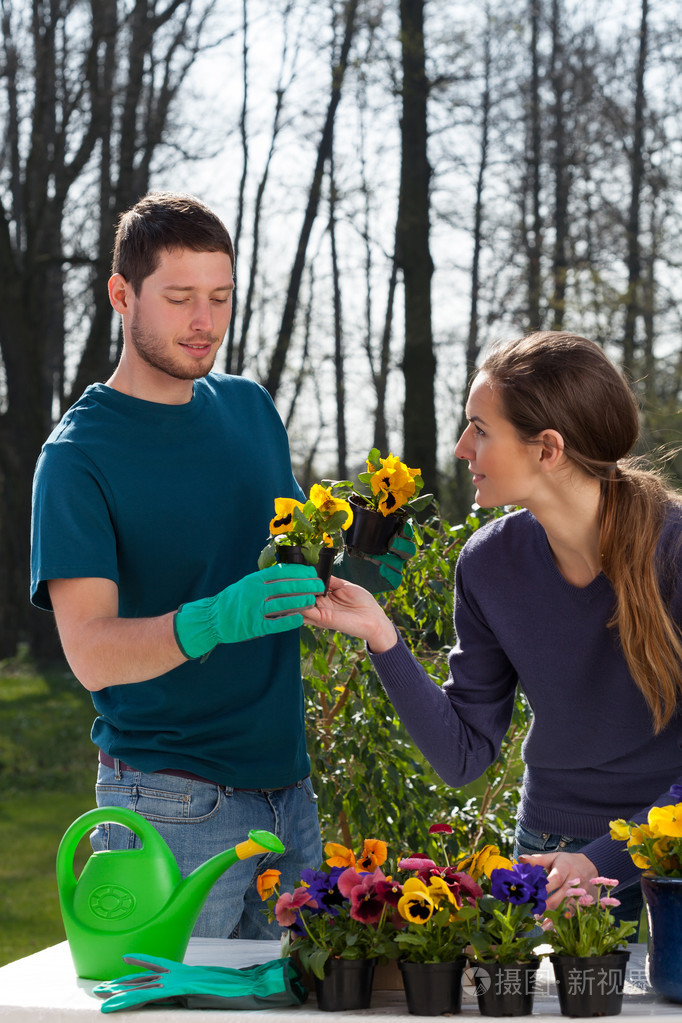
{"x":259,"y":605}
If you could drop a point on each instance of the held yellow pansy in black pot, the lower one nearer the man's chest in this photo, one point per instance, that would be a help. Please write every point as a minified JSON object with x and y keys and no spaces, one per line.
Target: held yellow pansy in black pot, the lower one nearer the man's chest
{"x":307,"y":535}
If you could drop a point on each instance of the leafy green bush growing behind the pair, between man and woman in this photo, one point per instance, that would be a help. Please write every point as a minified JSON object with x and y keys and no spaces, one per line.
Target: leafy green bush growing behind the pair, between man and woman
{"x":366,"y":768}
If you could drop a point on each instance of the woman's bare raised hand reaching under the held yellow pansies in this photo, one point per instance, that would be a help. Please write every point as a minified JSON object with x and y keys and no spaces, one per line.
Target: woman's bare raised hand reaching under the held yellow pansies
{"x":352,"y":610}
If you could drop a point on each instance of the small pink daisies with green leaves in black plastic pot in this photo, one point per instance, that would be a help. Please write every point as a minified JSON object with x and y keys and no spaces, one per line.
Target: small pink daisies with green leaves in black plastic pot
{"x":589,"y":957}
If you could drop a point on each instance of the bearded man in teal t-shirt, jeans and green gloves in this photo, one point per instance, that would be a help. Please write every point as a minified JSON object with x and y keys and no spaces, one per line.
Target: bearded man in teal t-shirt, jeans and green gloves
{"x":152,"y":501}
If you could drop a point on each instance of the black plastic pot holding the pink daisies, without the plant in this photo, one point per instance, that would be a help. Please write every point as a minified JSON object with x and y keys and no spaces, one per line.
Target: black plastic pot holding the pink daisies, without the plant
{"x":590,"y":986}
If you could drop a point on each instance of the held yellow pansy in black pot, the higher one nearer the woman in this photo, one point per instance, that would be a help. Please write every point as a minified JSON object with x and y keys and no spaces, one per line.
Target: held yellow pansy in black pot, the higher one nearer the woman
{"x":386,"y":500}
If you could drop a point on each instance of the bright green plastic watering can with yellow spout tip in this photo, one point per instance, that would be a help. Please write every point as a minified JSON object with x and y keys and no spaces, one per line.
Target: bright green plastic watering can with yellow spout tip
{"x":135,"y":901}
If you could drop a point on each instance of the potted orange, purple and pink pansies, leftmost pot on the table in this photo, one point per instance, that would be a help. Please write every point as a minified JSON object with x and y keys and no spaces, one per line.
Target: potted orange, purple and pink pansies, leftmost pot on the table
{"x":339,"y":923}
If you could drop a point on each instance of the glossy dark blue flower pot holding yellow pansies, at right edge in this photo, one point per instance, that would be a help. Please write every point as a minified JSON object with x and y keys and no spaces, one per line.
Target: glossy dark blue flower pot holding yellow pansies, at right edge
{"x":663,"y":898}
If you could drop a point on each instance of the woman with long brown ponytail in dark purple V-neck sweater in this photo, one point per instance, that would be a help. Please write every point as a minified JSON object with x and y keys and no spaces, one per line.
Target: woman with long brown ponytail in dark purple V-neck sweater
{"x":577,"y":597}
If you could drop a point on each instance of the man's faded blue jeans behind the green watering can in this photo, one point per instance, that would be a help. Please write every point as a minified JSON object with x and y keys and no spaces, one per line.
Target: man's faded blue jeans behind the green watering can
{"x":199,"y":820}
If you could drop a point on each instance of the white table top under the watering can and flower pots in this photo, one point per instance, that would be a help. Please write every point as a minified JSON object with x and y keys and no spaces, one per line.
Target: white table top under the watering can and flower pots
{"x":44,"y":989}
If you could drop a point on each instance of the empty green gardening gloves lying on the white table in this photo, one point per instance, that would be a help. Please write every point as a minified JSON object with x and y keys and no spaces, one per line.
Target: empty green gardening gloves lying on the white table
{"x":269,"y":986}
